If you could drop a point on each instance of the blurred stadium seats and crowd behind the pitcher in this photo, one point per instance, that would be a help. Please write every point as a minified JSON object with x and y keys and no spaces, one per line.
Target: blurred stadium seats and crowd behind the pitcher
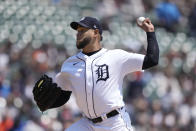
{"x":35,"y":38}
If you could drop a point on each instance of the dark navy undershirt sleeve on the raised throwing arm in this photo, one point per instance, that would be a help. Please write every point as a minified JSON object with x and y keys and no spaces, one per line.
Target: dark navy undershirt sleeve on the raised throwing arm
{"x":152,"y":56}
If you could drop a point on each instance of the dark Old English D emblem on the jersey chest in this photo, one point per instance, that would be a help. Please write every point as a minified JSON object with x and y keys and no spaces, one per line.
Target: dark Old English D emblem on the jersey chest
{"x":102,"y":72}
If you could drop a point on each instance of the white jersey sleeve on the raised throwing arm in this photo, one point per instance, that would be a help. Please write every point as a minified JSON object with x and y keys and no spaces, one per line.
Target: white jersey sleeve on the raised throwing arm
{"x":130,"y":62}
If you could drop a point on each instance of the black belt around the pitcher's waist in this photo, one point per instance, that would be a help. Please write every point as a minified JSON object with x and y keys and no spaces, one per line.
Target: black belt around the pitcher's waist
{"x":108,"y":115}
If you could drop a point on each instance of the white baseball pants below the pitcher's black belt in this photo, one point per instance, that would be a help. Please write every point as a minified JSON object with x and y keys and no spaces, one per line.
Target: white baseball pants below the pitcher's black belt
{"x":120,"y":122}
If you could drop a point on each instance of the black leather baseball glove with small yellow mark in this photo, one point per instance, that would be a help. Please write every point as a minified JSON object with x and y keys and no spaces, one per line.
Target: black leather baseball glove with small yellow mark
{"x":45,"y":92}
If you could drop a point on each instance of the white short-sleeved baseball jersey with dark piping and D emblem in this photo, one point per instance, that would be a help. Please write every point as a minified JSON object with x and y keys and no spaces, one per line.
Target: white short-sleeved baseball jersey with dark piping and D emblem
{"x":96,"y":80}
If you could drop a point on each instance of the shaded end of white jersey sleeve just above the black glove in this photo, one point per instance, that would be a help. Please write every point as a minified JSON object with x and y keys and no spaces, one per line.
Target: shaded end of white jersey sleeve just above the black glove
{"x":63,"y":81}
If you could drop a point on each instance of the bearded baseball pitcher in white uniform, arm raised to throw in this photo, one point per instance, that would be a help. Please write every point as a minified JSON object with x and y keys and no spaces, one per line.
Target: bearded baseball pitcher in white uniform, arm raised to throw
{"x":95,"y":76}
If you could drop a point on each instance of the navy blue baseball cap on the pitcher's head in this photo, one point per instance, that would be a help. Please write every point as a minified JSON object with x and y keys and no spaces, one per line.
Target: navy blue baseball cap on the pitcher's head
{"x":87,"y":22}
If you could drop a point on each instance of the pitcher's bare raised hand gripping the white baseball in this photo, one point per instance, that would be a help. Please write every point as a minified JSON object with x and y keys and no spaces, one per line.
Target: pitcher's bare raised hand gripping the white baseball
{"x":147,"y":26}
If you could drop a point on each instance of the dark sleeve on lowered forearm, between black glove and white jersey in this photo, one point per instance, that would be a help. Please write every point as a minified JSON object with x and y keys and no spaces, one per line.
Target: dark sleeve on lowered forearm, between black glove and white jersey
{"x":63,"y":98}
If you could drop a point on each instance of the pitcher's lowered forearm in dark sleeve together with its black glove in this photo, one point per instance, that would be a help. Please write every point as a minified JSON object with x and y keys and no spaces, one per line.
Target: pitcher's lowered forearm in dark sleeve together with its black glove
{"x":47,"y":94}
